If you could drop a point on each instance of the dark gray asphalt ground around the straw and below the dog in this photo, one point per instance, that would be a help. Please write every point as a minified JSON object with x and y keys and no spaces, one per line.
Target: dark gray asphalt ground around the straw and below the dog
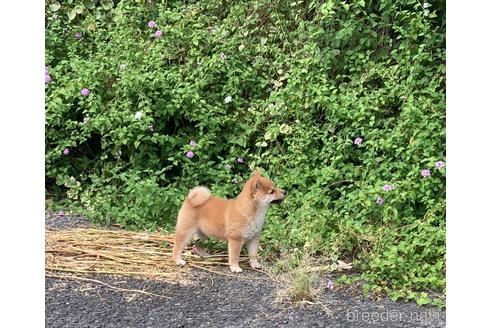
{"x":212,"y":300}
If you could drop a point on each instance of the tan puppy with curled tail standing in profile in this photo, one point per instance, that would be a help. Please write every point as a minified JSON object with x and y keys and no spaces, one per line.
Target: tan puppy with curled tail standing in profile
{"x":236,"y":220}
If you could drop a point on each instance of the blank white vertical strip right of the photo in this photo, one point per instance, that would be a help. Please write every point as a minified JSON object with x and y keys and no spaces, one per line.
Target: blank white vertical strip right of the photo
{"x":469,"y":128}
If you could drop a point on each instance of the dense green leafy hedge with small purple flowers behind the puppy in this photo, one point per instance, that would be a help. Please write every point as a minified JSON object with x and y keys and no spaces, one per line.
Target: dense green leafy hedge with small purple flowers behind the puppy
{"x":339,"y":102}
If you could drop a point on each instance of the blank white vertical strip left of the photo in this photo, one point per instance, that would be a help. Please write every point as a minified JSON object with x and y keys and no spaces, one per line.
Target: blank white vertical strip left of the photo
{"x":22,"y":163}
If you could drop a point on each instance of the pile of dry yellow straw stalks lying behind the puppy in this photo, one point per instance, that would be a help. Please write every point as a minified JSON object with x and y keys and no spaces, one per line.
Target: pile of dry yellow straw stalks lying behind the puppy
{"x":119,"y":252}
